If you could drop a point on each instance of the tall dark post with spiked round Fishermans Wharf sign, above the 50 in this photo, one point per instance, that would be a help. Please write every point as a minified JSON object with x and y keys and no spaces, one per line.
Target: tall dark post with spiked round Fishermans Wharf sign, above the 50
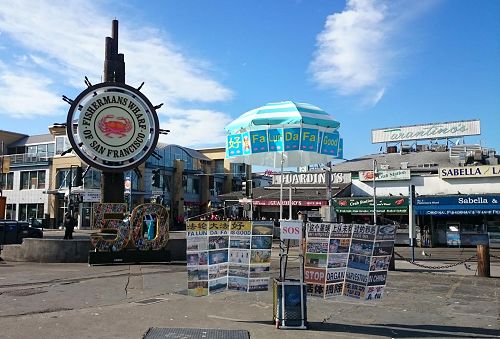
{"x":111,"y":126}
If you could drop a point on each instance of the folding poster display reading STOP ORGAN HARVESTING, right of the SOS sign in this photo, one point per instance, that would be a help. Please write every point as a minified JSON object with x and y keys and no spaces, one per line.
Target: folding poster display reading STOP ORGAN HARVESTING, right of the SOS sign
{"x":348,"y":259}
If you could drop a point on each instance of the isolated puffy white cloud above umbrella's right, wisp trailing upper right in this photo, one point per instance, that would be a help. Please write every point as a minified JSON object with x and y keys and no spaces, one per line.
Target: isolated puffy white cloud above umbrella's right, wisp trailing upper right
{"x":357,"y":52}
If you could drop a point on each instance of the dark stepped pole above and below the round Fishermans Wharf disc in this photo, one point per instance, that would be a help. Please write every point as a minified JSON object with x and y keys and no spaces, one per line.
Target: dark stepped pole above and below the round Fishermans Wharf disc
{"x":112,"y":183}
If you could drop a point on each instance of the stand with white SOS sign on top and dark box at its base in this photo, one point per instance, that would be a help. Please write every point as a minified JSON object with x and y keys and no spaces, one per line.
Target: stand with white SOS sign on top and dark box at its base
{"x":289,"y":295}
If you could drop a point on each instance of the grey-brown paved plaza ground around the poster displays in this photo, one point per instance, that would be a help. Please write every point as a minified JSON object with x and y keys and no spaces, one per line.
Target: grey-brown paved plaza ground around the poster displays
{"x":78,"y":301}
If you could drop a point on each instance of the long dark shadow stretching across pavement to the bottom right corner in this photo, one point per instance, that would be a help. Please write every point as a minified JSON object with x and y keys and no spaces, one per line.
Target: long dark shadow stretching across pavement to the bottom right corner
{"x":398,"y":330}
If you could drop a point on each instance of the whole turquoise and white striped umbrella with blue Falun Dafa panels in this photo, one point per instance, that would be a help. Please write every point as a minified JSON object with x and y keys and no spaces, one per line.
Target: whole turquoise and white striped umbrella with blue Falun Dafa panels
{"x":283,"y":133}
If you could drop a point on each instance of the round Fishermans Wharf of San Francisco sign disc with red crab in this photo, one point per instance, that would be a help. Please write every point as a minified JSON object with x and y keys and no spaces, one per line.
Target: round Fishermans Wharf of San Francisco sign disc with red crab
{"x":112,"y":127}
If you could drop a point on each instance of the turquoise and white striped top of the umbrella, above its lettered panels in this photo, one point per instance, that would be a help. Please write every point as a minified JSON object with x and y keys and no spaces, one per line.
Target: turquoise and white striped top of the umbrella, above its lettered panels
{"x":283,"y":113}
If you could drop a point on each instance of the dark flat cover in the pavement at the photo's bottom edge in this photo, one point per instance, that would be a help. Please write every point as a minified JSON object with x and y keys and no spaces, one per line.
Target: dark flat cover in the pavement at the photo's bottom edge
{"x":195,"y":333}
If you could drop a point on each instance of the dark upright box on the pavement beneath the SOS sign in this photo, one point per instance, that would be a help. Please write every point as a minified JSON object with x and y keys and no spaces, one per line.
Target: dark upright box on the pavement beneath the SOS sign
{"x":289,"y":311}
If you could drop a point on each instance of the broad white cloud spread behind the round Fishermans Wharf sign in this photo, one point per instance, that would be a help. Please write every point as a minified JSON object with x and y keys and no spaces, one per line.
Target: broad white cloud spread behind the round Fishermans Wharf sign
{"x":52,"y":42}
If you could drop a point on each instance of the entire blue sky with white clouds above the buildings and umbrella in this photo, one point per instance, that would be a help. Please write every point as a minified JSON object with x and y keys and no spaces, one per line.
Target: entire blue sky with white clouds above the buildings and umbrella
{"x":370,"y":64}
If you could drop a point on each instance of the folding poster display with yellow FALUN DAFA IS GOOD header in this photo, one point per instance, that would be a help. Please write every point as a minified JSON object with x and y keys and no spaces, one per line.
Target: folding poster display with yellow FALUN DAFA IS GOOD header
{"x":222,"y":255}
